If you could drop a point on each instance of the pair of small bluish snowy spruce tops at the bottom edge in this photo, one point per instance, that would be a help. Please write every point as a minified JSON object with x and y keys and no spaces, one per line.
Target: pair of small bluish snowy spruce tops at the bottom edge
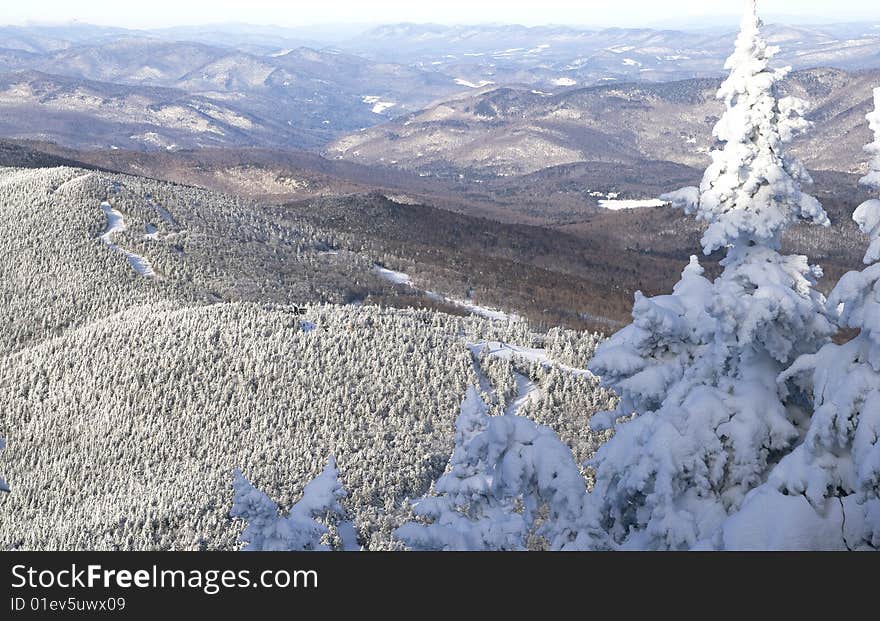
{"x":267,"y":531}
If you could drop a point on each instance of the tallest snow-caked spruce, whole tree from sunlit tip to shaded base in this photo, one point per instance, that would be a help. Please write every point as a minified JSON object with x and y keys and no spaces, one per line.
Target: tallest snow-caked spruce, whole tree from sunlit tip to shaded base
{"x":697,"y":370}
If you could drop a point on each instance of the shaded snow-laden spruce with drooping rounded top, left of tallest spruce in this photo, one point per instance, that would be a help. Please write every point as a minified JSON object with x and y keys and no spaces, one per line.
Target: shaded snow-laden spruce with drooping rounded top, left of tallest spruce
{"x":509,"y":480}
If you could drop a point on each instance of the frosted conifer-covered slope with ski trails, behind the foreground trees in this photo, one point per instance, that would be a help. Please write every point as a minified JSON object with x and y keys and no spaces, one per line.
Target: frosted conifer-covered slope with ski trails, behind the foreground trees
{"x":127,"y":401}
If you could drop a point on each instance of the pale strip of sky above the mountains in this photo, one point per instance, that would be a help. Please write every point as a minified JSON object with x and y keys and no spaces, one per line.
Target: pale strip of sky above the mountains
{"x":156,"y":13}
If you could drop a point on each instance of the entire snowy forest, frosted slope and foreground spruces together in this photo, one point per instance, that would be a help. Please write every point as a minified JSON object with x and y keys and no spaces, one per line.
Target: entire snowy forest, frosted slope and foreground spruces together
{"x":153,"y":398}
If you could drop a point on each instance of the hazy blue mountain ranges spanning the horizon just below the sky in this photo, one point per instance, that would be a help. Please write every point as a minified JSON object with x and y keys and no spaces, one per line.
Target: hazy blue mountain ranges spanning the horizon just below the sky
{"x":303,"y":90}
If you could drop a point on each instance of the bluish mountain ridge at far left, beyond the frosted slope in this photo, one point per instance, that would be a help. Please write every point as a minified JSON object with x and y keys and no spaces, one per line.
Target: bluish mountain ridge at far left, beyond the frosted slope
{"x":117,"y":92}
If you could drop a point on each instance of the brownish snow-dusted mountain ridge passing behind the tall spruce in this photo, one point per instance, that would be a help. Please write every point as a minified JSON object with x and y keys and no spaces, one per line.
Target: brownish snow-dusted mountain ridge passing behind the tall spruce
{"x":514,"y":131}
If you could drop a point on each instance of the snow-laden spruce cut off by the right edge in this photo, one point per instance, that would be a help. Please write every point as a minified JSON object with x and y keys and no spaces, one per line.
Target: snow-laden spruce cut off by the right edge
{"x":826,"y":493}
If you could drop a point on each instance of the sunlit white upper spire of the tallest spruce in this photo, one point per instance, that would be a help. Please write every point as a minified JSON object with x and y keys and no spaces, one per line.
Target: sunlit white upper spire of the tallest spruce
{"x":751,"y":191}
